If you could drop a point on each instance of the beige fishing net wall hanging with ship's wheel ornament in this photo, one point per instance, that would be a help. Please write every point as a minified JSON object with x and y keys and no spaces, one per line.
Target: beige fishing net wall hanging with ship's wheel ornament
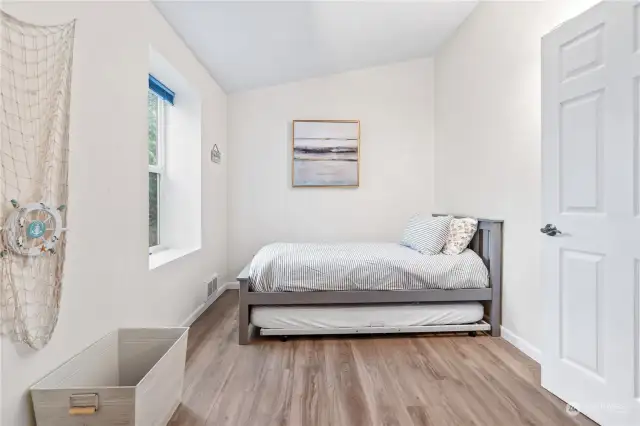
{"x":35,"y":80}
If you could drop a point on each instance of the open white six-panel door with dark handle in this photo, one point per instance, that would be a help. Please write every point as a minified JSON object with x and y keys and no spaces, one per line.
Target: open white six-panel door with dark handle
{"x":591,"y":193}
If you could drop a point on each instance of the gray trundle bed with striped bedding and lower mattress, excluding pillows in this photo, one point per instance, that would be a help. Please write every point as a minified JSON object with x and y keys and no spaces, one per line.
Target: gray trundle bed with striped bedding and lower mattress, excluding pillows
{"x":321,"y":290}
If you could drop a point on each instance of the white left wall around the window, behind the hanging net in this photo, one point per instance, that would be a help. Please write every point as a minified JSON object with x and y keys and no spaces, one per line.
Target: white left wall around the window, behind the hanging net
{"x":107,"y":281}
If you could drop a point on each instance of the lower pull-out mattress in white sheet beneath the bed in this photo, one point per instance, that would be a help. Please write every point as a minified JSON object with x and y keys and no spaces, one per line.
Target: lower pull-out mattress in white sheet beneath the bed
{"x":350,"y":316}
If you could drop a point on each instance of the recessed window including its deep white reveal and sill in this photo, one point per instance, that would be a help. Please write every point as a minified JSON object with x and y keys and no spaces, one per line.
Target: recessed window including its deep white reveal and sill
{"x":174,"y":157}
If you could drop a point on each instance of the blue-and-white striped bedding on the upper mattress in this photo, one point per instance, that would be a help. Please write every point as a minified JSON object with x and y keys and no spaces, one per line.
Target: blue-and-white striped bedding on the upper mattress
{"x":361,"y":266}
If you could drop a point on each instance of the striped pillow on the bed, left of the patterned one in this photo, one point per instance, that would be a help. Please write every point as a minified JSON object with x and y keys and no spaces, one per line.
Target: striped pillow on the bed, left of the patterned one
{"x":426,"y":234}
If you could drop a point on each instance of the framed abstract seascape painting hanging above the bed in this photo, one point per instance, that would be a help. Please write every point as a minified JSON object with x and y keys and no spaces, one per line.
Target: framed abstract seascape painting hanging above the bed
{"x":326,"y":153}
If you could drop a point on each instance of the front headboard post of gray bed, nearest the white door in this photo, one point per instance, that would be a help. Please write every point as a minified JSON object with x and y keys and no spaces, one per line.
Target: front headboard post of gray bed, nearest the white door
{"x":495,"y":276}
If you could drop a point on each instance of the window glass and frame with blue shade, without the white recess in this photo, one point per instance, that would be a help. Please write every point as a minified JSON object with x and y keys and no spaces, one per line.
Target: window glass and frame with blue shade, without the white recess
{"x":158,"y":100}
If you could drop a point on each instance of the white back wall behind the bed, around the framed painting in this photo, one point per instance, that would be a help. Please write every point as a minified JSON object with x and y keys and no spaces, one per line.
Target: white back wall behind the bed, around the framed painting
{"x":395,"y":106}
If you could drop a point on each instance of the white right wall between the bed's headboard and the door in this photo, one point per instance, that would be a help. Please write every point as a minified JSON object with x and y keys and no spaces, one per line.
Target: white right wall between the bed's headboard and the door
{"x":487,"y":152}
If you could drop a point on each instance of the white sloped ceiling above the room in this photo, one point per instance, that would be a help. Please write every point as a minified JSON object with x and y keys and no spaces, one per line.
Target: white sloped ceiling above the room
{"x":246,"y":45}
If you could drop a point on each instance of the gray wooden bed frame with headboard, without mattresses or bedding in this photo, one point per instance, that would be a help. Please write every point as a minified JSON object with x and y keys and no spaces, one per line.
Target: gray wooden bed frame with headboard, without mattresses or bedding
{"x":487,"y":243}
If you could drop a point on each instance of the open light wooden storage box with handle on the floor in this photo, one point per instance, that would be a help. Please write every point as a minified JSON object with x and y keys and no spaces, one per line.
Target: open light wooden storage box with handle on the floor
{"x":131,"y":377}
